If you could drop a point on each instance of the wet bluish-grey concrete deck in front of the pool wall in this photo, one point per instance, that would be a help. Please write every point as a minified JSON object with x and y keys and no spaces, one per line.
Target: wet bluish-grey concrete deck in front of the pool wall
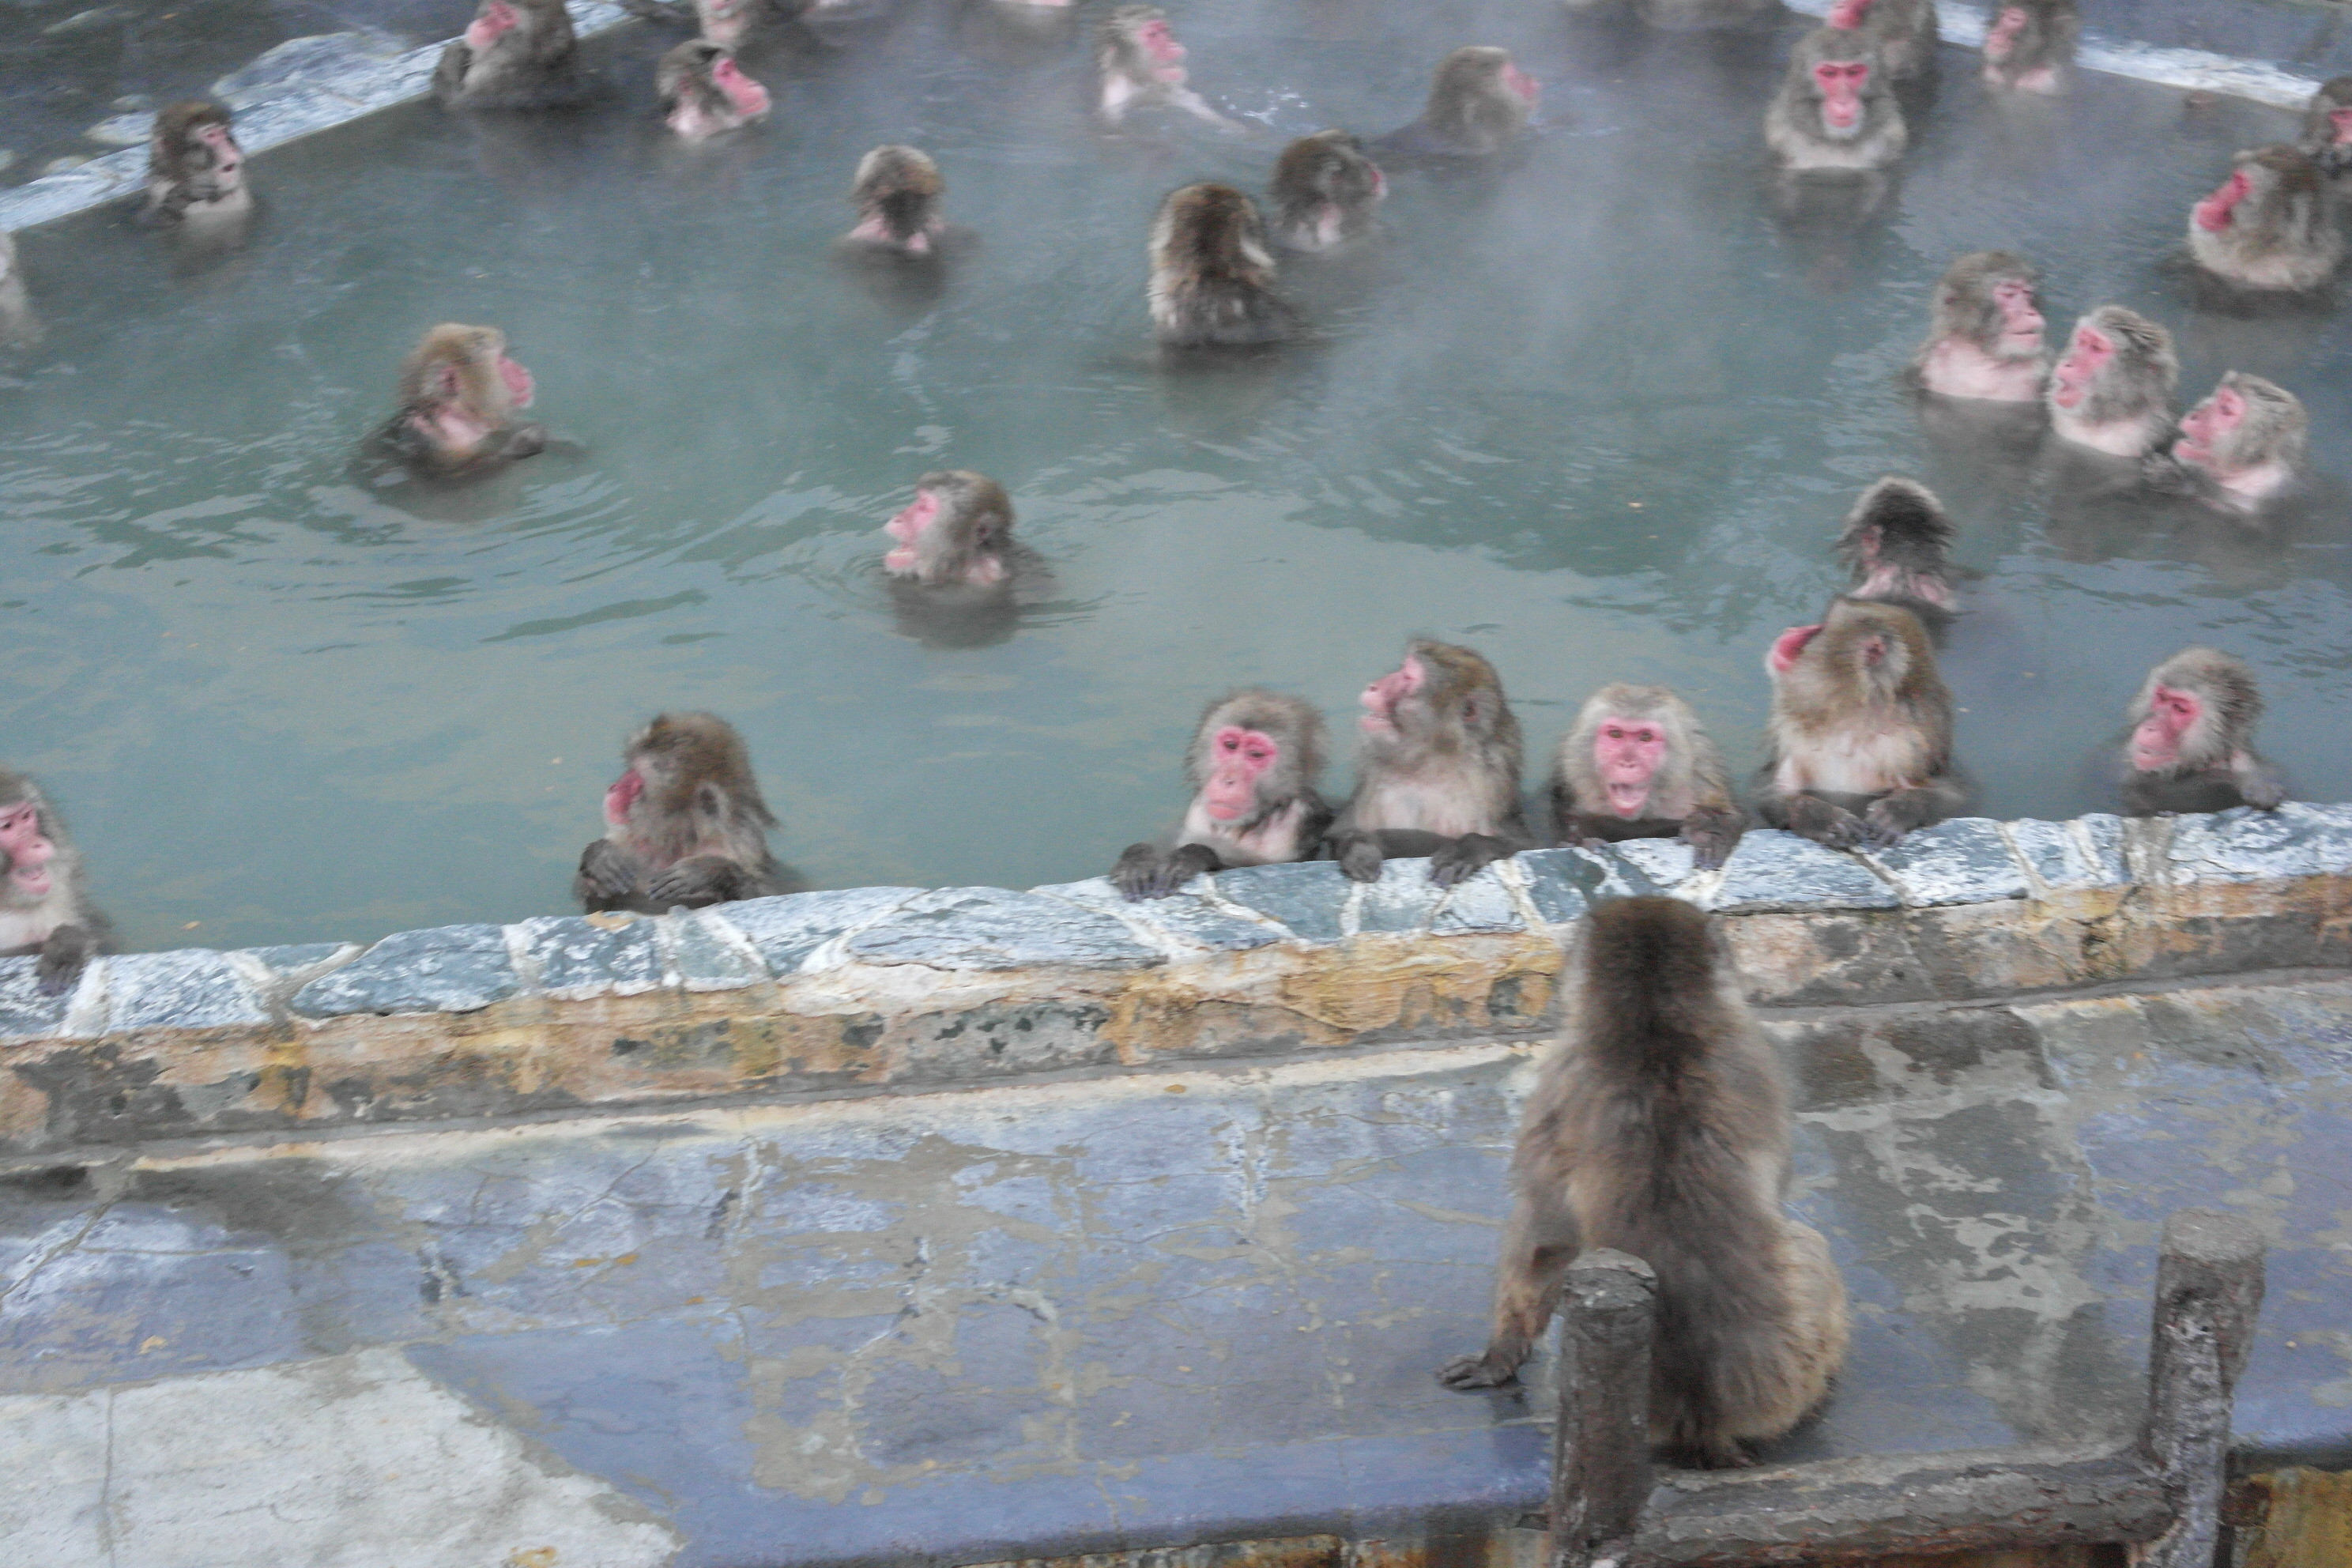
{"x":1095,"y":1313}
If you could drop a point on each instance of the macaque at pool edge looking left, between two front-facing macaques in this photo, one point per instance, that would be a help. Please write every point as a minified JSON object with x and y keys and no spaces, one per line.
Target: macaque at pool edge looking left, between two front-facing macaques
{"x":1436,"y":770}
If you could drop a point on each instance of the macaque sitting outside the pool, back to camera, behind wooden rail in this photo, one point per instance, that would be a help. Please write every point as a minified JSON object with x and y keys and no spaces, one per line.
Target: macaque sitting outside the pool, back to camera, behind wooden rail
{"x":1659,"y":1127}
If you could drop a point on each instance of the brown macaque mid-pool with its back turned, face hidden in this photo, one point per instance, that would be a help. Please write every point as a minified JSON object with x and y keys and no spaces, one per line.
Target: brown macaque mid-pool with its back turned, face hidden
{"x":1212,"y":276}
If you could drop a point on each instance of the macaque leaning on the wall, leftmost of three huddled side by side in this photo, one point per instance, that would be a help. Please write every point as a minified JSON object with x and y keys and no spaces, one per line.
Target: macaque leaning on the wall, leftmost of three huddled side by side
{"x":1255,"y":765}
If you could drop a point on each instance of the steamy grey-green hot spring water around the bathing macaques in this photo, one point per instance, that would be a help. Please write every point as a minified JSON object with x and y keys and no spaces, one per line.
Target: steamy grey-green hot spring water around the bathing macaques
{"x":1598,"y":417}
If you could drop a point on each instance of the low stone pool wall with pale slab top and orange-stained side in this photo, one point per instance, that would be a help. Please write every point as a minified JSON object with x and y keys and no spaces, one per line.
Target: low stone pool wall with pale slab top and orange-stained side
{"x":895,"y":989}
